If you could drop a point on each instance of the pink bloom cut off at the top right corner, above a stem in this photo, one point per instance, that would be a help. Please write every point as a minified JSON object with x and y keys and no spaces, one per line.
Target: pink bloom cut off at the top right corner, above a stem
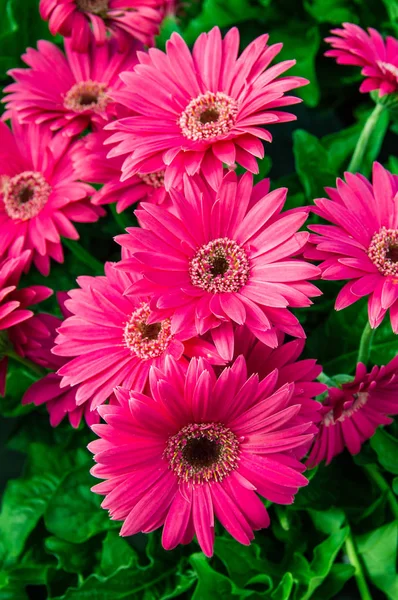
{"x":378,"y":58}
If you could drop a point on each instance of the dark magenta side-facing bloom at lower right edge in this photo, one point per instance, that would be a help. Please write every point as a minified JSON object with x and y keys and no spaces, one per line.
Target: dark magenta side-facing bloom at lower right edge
{"x":351,"y":414}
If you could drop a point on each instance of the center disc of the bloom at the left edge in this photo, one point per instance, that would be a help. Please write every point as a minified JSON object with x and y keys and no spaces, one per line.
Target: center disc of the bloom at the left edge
{"x":25,"y":195}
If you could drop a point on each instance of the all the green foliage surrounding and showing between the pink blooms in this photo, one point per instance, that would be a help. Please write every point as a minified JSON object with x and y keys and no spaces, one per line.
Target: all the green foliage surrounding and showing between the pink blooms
{"x":55,"y":541}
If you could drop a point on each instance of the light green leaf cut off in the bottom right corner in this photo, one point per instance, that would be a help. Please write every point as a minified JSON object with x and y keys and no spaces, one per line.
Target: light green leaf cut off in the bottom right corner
{"x":378,"y":550}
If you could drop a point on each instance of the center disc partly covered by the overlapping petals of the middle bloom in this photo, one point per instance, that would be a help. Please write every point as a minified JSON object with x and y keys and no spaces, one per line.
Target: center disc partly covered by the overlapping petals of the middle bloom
{"x":143,"y":339}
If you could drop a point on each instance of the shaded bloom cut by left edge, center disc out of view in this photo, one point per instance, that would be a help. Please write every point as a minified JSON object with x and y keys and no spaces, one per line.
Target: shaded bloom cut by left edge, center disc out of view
{"x":19,"y":329}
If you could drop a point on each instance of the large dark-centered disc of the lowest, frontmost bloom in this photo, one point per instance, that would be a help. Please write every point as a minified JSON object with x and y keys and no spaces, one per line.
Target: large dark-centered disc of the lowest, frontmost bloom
{"x":202,"y":452}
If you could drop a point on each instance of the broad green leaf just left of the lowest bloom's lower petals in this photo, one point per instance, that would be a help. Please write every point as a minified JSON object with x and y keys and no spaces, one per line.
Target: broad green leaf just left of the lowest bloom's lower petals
{"x":74,"y":512}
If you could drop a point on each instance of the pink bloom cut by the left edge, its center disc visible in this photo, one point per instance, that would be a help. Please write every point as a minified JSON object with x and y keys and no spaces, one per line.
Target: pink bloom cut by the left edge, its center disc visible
{"x":39,"y":194}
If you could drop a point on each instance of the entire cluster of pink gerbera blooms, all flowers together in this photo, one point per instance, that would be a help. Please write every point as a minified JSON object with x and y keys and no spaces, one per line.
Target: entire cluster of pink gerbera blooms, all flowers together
{"x":180,"y":346}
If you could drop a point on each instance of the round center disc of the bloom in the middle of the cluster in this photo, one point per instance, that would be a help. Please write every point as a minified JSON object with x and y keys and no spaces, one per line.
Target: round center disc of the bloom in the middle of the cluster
{"x":220,"y":266}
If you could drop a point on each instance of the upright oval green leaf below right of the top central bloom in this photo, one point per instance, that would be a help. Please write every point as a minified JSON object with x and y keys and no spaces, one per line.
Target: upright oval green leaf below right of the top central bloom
{"x":312,"y":164}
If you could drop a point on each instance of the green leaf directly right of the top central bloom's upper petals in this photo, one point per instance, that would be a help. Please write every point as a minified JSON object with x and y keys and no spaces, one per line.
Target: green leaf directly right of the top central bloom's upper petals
{"x":300,"y":42}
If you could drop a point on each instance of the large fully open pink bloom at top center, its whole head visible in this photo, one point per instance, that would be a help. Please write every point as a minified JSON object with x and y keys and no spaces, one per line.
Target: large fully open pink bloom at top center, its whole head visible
{"x":196,"y":112}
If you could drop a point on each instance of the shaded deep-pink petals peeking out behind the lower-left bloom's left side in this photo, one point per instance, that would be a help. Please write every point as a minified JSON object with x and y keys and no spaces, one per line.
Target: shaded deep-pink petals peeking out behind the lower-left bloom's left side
{"x":59,"y":401}
